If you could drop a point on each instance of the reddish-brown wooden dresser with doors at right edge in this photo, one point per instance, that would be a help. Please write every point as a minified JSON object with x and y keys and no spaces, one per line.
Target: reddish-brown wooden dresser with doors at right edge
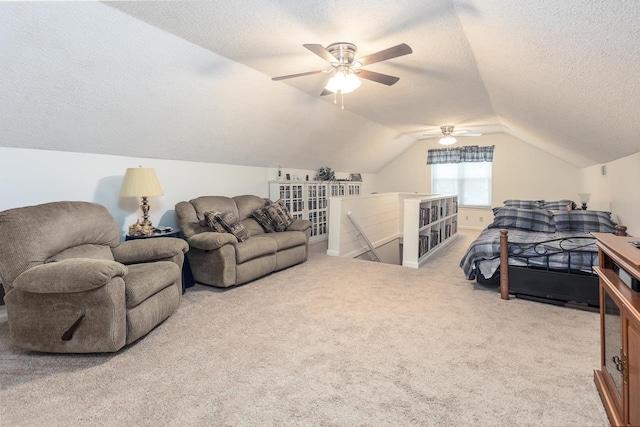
{"x":618,"y":380}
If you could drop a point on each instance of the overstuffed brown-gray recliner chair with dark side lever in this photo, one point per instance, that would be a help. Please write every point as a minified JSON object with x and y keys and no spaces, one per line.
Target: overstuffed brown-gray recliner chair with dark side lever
{"x":72,"y":287}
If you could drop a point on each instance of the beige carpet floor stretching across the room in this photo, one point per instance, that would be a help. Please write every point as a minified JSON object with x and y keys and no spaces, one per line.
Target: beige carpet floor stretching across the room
{"x":330,"y":342}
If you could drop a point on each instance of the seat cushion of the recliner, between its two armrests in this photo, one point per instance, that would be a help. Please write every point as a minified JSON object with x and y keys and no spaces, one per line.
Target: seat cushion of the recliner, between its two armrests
{"x":144,"y":280}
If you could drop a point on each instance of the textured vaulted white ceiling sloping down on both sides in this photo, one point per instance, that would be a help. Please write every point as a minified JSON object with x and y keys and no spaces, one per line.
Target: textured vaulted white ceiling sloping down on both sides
{"x":191,"y":80}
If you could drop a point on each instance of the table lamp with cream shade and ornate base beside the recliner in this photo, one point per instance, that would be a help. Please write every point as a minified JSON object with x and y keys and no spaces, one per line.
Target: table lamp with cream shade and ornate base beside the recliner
{"x":141,"y":182}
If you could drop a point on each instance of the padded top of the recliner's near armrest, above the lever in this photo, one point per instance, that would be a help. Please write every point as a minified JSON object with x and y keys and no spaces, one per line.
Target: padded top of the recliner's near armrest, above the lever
{"x":70,"y":275}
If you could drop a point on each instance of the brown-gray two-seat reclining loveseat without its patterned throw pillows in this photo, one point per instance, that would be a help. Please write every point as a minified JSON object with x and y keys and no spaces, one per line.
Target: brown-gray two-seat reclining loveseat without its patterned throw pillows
{"x":219,"y":259}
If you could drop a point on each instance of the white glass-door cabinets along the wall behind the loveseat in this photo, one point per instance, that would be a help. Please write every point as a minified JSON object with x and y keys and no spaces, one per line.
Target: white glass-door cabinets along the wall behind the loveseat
{"x":308,"y":200}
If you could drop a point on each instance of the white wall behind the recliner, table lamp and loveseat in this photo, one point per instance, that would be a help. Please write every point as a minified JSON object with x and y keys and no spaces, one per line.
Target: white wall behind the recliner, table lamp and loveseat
{"x":31,"y":177}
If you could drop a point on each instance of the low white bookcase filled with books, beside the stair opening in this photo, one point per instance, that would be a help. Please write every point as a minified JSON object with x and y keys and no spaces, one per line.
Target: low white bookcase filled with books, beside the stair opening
{"x":430,"y":223}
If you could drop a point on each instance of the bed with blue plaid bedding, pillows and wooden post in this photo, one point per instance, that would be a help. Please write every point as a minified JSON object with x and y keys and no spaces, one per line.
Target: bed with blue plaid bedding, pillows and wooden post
{"x":545,"y":250}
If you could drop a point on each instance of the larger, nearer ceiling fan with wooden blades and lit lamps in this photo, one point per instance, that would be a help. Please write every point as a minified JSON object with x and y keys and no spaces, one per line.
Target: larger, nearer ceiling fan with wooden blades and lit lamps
{"x":347,"y":69}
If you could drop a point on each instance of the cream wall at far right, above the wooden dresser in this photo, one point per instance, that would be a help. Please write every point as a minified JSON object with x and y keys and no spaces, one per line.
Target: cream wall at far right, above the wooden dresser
{"x":616,"y":191}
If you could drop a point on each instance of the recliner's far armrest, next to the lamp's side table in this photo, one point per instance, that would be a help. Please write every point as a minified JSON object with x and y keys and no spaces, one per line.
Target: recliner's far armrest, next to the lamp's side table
{"x":147,"y":250}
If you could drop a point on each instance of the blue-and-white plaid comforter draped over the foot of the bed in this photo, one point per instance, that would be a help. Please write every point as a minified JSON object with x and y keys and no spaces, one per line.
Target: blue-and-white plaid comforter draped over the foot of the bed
{"x":562,"y":251}
